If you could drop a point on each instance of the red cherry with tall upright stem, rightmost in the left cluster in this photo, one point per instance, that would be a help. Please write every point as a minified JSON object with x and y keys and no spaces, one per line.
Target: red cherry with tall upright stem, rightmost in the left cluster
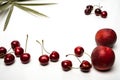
{"x":25,"y":57}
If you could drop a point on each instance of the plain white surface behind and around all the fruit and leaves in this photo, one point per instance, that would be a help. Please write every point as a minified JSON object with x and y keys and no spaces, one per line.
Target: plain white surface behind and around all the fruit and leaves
{"x":66,"y":28}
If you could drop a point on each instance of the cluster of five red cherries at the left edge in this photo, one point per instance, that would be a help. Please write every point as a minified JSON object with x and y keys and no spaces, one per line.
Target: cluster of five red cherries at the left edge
{"x":9,"y":58}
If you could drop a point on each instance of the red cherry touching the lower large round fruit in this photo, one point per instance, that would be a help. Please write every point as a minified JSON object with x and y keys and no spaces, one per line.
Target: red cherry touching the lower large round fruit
{"x":85,"y":66}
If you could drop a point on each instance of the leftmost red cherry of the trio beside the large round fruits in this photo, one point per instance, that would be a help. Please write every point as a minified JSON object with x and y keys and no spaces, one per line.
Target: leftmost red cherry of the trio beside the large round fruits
{"x":66,"y":65}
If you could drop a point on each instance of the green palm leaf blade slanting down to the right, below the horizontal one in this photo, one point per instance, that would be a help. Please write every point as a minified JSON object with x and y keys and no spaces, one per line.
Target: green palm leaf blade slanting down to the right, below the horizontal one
{"x":29,"y":10}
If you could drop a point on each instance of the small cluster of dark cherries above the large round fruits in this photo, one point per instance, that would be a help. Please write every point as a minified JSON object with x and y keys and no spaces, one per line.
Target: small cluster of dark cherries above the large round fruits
{"x":97,"y":11}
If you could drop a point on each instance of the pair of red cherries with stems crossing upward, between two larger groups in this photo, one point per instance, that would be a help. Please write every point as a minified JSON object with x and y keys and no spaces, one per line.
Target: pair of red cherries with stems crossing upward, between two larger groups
{"x":44,"y":58}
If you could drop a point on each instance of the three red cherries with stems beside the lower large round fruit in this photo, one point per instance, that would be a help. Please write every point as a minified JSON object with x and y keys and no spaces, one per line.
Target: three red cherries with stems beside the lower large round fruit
{"x":85,"y":65}
